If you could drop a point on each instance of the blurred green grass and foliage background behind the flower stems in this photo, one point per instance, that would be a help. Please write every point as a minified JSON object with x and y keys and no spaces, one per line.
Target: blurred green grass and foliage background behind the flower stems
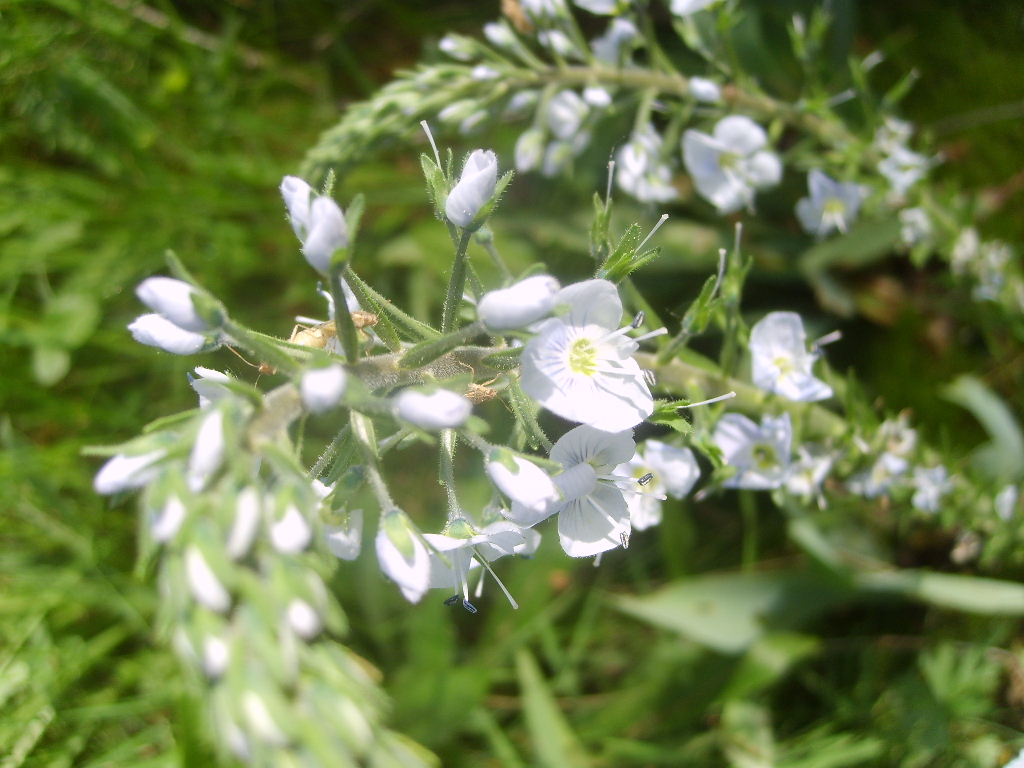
{"x":129,"y":130}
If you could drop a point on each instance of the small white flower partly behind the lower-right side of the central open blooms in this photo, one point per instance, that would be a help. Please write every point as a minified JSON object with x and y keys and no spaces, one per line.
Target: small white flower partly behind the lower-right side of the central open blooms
{"x":672,"y":471}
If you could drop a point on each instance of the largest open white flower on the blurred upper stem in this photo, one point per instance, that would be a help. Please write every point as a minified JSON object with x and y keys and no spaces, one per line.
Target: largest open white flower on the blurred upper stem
{"x":730,"y":165}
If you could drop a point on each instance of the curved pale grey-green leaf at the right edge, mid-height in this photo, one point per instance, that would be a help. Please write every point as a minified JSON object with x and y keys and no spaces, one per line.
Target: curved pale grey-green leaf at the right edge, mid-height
{"x":1003,"y":459}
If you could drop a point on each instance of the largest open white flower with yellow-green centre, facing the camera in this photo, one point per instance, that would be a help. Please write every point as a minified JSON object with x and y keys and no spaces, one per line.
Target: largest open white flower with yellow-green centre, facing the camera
{"x":580,"y":366}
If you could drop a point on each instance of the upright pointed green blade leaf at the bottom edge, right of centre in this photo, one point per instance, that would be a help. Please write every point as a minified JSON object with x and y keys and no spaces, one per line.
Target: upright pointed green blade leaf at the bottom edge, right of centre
{"x":556,"y":744}
